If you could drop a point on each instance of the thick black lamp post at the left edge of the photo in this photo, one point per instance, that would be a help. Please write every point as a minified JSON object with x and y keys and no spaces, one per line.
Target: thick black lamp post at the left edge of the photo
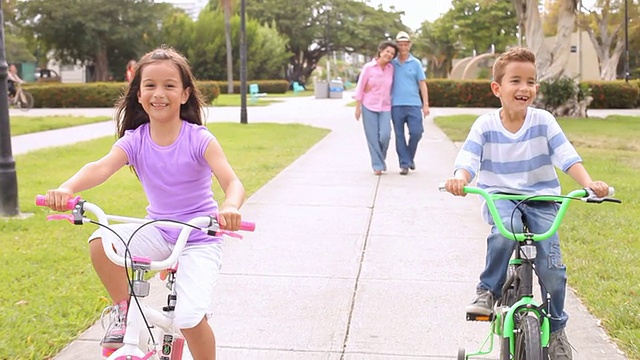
{"x":8,"y":178}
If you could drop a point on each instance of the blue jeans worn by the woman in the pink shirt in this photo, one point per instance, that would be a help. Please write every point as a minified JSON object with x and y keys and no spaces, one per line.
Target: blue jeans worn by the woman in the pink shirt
{"x":377,"y":129}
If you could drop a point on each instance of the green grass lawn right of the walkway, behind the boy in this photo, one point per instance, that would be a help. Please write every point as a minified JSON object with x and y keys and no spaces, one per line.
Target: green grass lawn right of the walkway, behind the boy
{"x":600,"y":242}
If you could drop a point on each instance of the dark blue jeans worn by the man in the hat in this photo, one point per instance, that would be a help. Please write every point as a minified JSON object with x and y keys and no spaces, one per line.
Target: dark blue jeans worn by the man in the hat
{"x":412,"y":116}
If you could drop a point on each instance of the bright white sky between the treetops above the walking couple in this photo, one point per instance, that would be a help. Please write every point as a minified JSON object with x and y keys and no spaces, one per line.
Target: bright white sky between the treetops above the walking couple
{"x":417,"y":11}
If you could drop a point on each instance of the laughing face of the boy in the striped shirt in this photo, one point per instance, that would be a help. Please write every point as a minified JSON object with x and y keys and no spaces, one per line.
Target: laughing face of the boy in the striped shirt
{"x":518,"y":87}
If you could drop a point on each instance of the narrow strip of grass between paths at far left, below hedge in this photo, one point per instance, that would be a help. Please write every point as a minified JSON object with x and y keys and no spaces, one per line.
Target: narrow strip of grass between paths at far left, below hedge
{"x":29,"y":124}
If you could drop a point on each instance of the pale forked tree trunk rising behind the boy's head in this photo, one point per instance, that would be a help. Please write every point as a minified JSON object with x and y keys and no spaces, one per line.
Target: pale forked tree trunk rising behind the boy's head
{"x":551,"y":62}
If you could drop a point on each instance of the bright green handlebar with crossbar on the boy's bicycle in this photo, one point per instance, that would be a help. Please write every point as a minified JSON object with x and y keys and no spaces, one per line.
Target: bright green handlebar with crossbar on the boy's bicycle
{"x":491,"y":198}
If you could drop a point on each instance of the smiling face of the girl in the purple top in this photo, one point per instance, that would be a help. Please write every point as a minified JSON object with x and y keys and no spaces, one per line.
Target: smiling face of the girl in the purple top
{"x":161,"y":91}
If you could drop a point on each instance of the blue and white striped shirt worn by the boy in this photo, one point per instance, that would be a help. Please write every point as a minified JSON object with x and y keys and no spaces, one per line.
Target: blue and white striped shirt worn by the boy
{"x":521,"y":162}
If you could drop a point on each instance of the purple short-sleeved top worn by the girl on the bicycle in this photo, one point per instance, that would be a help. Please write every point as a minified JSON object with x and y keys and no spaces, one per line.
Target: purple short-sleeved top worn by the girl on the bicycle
{"x":176,"y":178}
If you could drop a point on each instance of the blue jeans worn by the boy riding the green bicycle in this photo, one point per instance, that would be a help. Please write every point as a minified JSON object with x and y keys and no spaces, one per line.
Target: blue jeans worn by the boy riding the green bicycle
{"x":538,"y":217}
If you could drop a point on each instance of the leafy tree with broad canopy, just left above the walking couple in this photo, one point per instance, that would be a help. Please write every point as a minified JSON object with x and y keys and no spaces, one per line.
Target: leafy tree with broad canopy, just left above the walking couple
{"x":317,"y":28}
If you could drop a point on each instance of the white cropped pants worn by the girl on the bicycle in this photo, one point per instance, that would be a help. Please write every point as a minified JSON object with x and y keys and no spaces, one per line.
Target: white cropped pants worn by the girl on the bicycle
{"x":198,"y":268}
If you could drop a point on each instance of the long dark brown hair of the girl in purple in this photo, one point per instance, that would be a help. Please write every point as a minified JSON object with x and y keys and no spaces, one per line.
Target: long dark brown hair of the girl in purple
{"x":129,"y":112}
